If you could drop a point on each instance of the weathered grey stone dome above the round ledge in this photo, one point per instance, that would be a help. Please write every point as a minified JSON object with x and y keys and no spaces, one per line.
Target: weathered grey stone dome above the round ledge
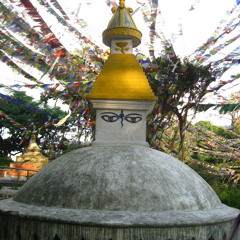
{"x":118,"y":178}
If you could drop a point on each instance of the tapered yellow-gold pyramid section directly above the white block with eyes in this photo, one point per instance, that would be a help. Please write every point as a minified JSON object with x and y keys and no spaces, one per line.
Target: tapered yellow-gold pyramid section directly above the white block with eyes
{"x":122,"y":78}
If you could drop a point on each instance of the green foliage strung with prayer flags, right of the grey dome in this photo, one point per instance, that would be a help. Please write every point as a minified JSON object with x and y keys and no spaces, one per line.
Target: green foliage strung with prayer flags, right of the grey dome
{"x":216,"y":159}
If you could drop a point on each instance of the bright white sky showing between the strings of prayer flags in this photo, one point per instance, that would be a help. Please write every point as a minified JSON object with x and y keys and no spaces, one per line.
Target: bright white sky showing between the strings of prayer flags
{"x":187,"y":23}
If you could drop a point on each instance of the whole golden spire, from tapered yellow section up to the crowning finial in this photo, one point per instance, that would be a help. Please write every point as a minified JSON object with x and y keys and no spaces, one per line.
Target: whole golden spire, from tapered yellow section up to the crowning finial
{"x":122,"y":77}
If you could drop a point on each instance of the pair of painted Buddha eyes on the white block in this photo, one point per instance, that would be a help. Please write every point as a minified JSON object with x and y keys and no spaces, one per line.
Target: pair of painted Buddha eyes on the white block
{"x":113,"y":117}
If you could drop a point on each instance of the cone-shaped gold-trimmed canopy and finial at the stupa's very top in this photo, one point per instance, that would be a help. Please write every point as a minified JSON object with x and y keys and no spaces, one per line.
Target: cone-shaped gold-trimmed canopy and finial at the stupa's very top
{"x":122,"y":26}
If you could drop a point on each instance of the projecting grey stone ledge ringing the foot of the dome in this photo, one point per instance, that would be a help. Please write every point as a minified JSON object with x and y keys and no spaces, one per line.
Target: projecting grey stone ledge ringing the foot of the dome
{"x":219,"y":215}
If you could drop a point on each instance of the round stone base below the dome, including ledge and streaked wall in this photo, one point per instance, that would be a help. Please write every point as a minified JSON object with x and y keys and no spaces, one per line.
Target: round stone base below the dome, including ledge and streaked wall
{"x":68,"y":224}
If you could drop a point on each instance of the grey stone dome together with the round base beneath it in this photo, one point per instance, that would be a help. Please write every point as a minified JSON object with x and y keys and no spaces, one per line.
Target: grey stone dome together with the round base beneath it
{"x":118,"y":193}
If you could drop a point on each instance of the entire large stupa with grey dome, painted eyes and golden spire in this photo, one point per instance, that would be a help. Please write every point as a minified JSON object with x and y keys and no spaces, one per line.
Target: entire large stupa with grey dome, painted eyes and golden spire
{"x":119,"y":188}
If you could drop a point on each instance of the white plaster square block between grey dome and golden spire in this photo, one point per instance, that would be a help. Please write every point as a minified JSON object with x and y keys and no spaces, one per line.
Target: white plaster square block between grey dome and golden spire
{"x":121,"y":131}
